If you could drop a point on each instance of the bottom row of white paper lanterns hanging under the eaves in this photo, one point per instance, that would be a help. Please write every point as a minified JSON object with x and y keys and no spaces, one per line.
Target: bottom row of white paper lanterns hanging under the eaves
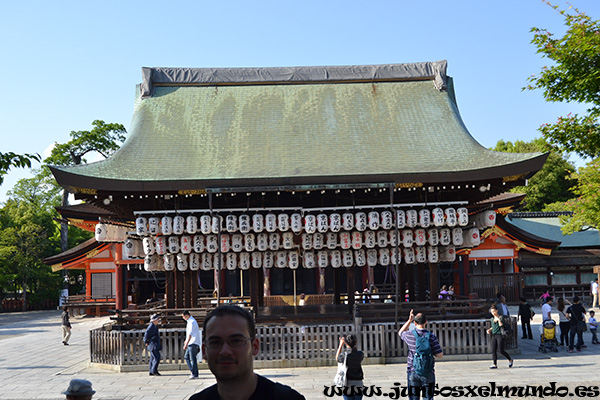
{"x":293,"y":259}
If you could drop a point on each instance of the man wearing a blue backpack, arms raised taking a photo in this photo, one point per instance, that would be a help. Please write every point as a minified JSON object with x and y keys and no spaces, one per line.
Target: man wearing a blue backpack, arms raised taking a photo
{"x":423,"y":348}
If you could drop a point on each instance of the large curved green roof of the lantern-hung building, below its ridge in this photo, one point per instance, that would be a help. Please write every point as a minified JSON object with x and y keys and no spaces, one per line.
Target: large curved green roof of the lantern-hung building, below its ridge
{"x":209,"y":136}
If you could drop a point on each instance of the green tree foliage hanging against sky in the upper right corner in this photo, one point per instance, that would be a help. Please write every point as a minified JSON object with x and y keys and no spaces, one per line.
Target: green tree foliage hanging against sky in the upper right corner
{"x":574,"y":77}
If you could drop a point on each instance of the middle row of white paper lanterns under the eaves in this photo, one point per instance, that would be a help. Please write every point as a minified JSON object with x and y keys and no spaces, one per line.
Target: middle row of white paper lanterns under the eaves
{"x":250,"y":242}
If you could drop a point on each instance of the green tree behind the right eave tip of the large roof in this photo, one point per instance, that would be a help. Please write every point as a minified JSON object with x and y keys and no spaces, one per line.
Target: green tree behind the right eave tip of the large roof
{"x":550,"y":184}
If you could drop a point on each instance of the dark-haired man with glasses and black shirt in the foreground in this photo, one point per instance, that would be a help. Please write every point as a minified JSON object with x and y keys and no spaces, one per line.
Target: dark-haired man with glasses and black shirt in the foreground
{"x":229,"y":347}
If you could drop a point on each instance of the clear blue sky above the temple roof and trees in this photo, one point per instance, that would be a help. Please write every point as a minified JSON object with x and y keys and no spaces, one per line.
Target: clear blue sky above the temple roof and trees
{"x":67,"y":63}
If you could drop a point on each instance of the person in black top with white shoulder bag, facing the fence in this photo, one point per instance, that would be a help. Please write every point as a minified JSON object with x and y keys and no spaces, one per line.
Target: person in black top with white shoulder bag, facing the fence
{"x":354,"y":374}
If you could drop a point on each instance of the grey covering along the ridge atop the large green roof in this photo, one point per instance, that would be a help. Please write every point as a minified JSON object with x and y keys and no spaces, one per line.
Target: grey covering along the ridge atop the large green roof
{"x":435,"y":70}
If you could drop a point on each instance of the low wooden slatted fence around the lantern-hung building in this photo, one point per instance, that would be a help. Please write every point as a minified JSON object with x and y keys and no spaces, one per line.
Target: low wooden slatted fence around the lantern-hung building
{"x":314,"y":342}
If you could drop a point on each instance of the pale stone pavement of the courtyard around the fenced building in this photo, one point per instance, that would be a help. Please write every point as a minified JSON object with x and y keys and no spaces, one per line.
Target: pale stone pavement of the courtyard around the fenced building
{"x":35,"y":365}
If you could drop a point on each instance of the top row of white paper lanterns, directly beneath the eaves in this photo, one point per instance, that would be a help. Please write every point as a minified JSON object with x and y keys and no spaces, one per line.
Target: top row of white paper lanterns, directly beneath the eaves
{"x":308,"y":223}
